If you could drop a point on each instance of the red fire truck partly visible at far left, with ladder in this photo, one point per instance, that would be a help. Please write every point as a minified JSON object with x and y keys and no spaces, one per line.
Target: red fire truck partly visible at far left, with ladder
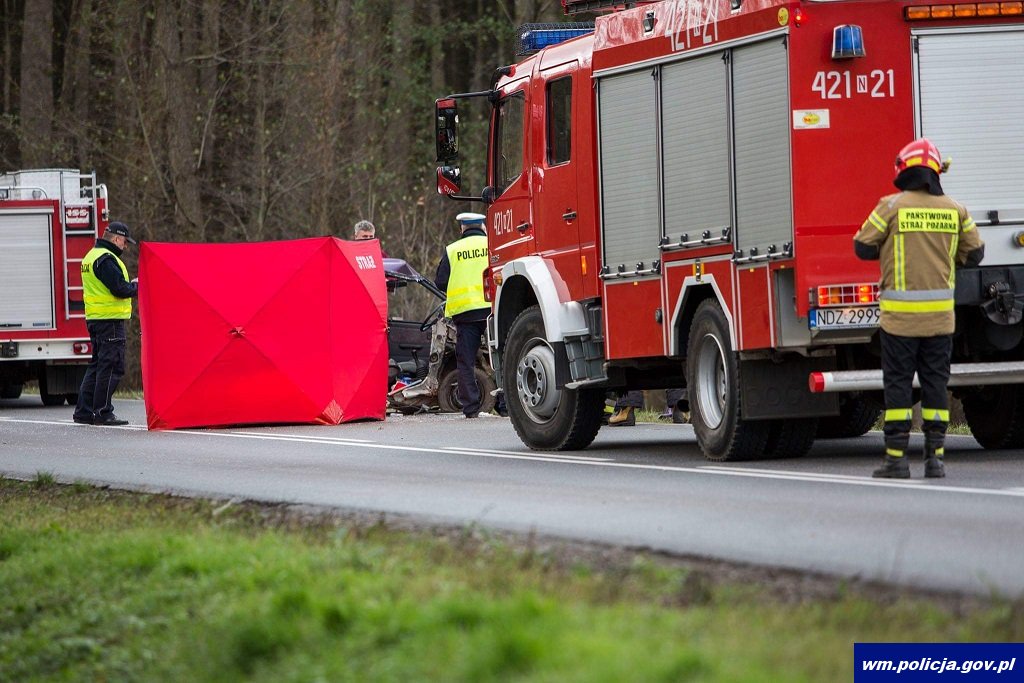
{"x":50,"y":220}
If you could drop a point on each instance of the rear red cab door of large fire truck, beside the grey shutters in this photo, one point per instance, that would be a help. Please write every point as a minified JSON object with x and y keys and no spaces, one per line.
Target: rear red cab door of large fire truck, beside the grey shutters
{"x":557,"y":196}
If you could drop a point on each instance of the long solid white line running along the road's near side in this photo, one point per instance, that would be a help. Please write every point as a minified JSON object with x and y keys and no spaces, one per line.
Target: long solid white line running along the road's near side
{"x":704,"y":469}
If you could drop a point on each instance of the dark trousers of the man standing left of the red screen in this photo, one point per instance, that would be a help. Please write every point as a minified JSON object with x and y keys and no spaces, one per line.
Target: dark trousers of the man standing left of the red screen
{"x":105,"y":372}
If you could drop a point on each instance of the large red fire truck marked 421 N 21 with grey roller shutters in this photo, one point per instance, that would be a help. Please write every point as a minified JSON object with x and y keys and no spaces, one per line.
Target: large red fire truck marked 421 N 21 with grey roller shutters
{"x":672,"y":196}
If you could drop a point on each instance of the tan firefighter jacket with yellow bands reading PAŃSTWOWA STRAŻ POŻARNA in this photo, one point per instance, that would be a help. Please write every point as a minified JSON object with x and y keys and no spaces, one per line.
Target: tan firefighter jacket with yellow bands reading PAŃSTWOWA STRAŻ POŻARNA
{"x":920,"y":239}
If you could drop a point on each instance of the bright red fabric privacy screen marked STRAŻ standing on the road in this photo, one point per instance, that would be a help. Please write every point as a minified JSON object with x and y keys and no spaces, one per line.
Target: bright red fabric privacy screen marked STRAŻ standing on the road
{"x":274,"y":332}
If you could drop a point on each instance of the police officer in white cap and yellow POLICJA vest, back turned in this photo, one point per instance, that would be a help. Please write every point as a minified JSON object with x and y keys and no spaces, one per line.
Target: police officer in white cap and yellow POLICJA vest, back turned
{"x":460,"y":275}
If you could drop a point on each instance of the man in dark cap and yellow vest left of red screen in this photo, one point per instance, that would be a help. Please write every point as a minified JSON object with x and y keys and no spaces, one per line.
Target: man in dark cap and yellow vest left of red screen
{"x":108,"y":306}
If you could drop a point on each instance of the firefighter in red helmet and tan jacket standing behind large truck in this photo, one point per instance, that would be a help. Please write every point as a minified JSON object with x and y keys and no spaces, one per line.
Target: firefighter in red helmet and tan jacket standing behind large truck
{"x":920,"y":235}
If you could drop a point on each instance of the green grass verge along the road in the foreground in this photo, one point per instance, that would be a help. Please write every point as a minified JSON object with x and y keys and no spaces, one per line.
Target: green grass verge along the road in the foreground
{"x":107,"y":586}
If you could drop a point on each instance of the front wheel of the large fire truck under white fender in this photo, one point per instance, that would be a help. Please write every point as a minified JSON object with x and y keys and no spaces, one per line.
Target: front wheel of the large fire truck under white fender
{"x":544,"y":417}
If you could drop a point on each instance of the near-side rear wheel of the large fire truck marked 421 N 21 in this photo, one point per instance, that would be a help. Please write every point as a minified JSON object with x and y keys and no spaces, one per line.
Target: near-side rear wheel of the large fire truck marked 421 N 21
{"x":712,"y":372}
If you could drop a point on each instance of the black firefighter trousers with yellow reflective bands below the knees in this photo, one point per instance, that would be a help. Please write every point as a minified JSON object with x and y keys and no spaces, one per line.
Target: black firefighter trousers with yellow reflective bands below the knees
{"x":929,"y":357}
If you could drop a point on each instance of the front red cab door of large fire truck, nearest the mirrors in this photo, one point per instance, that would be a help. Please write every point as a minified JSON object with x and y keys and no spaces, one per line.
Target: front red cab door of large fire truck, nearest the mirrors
{"x":510,"y":221}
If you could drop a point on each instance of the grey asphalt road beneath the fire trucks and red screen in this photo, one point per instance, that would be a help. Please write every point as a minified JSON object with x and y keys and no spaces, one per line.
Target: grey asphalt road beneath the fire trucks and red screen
{"x":642,"y":487}
